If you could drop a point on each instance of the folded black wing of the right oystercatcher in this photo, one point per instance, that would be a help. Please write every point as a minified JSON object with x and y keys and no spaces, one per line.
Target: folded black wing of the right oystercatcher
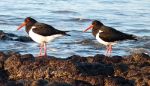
{"x":112,"y":35}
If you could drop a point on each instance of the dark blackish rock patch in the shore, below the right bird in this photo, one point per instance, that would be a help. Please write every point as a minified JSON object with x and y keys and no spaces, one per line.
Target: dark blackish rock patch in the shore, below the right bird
{"x":95,"y":69}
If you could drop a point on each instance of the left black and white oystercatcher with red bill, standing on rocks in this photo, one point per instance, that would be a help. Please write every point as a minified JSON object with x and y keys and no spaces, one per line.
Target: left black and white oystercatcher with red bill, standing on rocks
{"x":41,"y":33}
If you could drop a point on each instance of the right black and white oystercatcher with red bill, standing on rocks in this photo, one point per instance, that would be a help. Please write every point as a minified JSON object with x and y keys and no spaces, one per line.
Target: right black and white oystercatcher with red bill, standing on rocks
{"x":108,"y":35}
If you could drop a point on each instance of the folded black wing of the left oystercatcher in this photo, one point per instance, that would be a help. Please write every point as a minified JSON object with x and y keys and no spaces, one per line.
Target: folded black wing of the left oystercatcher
{"x":46,"y":30}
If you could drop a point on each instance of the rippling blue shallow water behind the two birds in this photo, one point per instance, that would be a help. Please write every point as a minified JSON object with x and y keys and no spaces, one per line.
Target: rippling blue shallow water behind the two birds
{"x":129,"y":16}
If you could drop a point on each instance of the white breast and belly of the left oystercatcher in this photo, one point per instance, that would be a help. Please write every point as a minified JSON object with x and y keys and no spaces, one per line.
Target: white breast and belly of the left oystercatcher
{"x":40,"y":39}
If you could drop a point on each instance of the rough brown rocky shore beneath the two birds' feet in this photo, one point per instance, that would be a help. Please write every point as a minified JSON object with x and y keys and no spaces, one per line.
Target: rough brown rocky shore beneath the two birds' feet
{"x":98,"y":70}
